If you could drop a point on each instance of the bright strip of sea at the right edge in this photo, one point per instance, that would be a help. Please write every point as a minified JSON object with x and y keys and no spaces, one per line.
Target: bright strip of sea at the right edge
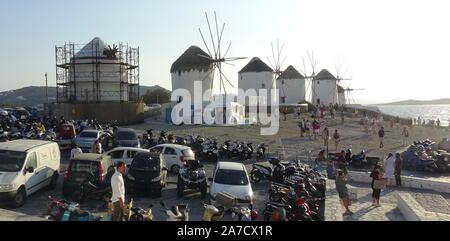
{"x":426,"y":112}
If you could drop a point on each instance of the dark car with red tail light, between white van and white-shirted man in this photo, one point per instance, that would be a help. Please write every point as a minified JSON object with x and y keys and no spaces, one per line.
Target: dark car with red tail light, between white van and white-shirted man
{"x":88,"y":176}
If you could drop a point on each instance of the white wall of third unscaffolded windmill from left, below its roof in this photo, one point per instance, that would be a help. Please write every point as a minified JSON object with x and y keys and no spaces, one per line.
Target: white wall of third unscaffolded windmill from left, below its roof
{"x":293,"y":90}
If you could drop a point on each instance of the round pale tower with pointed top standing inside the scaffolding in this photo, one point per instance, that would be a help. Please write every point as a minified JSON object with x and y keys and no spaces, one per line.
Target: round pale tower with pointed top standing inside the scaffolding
{"x":94,"y":76}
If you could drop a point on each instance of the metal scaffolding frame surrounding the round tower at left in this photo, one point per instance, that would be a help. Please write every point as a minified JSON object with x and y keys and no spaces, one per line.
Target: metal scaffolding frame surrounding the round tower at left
{"x":70,"y":72}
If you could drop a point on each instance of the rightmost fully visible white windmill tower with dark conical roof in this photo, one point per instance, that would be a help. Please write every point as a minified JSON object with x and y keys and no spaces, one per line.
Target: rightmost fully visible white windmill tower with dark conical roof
{"x":324,"y":88}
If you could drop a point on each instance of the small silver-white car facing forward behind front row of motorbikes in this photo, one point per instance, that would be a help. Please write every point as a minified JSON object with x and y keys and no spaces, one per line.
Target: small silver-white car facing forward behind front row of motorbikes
{"x":232,"y":178}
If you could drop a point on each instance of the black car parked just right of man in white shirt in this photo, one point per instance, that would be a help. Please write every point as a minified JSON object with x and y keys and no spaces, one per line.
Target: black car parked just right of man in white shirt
{"x":147,"y":174}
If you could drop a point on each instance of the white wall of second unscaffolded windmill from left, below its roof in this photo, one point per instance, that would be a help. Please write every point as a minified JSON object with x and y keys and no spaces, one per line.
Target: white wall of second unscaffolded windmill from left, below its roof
{"x":253,"y":80}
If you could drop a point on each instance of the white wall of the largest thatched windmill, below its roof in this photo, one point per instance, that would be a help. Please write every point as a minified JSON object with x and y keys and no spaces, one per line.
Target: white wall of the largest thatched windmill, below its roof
{"x":185,"y":80}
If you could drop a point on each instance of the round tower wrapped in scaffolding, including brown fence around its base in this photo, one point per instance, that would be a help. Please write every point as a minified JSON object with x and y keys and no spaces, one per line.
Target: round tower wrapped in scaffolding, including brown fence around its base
{"x":98,"y":81}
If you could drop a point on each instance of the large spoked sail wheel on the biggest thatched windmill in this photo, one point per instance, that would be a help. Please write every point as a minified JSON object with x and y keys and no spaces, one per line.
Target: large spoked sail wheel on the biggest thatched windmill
{"x":218,"y":57}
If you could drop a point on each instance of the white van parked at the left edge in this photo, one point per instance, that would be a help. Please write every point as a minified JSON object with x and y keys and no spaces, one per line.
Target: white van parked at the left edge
{"x":27,"y":166}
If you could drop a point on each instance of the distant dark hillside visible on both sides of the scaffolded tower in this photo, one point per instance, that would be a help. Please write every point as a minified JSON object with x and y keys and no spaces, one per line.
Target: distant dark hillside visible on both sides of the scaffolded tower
{"x":34,"y":95}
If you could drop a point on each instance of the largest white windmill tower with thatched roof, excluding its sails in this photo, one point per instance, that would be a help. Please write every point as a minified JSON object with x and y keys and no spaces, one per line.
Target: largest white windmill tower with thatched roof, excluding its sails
{"x":190,"y":67}
